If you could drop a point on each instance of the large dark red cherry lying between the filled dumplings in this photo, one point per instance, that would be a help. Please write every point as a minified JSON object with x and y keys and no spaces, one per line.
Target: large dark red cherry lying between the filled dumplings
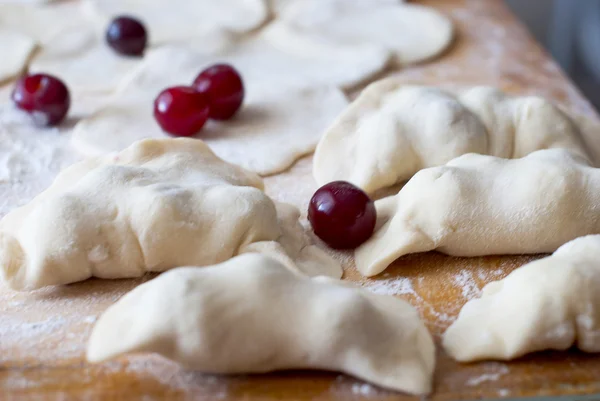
{"x":342,"y":215}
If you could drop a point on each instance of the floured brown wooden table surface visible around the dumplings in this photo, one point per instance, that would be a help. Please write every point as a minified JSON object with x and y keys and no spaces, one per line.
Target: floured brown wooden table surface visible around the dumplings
{"x":43,"y":334}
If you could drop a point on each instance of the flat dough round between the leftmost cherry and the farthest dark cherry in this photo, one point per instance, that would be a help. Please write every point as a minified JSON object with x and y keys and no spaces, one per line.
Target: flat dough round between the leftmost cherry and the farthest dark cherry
{"x":85,"y":63}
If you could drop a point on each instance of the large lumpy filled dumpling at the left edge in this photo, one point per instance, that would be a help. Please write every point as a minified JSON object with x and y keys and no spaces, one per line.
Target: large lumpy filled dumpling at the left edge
{"x":158,"y":204}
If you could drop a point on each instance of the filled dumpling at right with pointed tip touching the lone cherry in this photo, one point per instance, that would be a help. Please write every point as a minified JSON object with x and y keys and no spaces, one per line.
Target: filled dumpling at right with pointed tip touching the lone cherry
{"x":482,"y":205}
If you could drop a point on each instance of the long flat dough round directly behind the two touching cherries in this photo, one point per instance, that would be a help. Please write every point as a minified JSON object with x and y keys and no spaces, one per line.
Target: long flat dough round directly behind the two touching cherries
{"x":258,"y":61}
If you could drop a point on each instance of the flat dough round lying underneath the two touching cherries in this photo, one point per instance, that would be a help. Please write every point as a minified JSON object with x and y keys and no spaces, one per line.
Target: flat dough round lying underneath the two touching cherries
{"x":276,"y":125}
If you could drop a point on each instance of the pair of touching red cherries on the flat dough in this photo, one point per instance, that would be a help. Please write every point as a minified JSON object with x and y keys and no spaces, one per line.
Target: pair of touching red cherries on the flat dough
{"x":217,"y":93}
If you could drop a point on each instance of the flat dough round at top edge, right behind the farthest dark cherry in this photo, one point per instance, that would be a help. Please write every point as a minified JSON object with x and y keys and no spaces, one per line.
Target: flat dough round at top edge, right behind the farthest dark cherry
{"x":169,"y":21}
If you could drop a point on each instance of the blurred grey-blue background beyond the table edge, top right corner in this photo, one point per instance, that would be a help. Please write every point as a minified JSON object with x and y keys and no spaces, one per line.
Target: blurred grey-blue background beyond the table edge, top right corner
{"x":570,"y":31}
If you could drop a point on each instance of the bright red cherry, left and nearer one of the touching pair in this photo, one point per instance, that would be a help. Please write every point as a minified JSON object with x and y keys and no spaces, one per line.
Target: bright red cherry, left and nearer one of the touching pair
{"x":181,"y":110}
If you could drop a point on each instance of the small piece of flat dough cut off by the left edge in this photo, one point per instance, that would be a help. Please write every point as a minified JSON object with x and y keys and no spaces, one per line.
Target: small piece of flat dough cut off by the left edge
{"x":15,"y":49}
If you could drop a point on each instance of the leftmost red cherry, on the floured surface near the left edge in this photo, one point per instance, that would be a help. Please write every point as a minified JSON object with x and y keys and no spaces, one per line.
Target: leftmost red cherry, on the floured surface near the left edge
{"x":43,"y":96}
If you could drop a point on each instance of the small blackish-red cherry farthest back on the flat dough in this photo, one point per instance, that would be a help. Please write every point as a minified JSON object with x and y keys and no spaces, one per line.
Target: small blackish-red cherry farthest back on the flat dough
{"x":127,"y":36}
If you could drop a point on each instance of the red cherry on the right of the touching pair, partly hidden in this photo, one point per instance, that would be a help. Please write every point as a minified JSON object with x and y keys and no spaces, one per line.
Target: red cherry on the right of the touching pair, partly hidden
{"x":225,"y":89}
